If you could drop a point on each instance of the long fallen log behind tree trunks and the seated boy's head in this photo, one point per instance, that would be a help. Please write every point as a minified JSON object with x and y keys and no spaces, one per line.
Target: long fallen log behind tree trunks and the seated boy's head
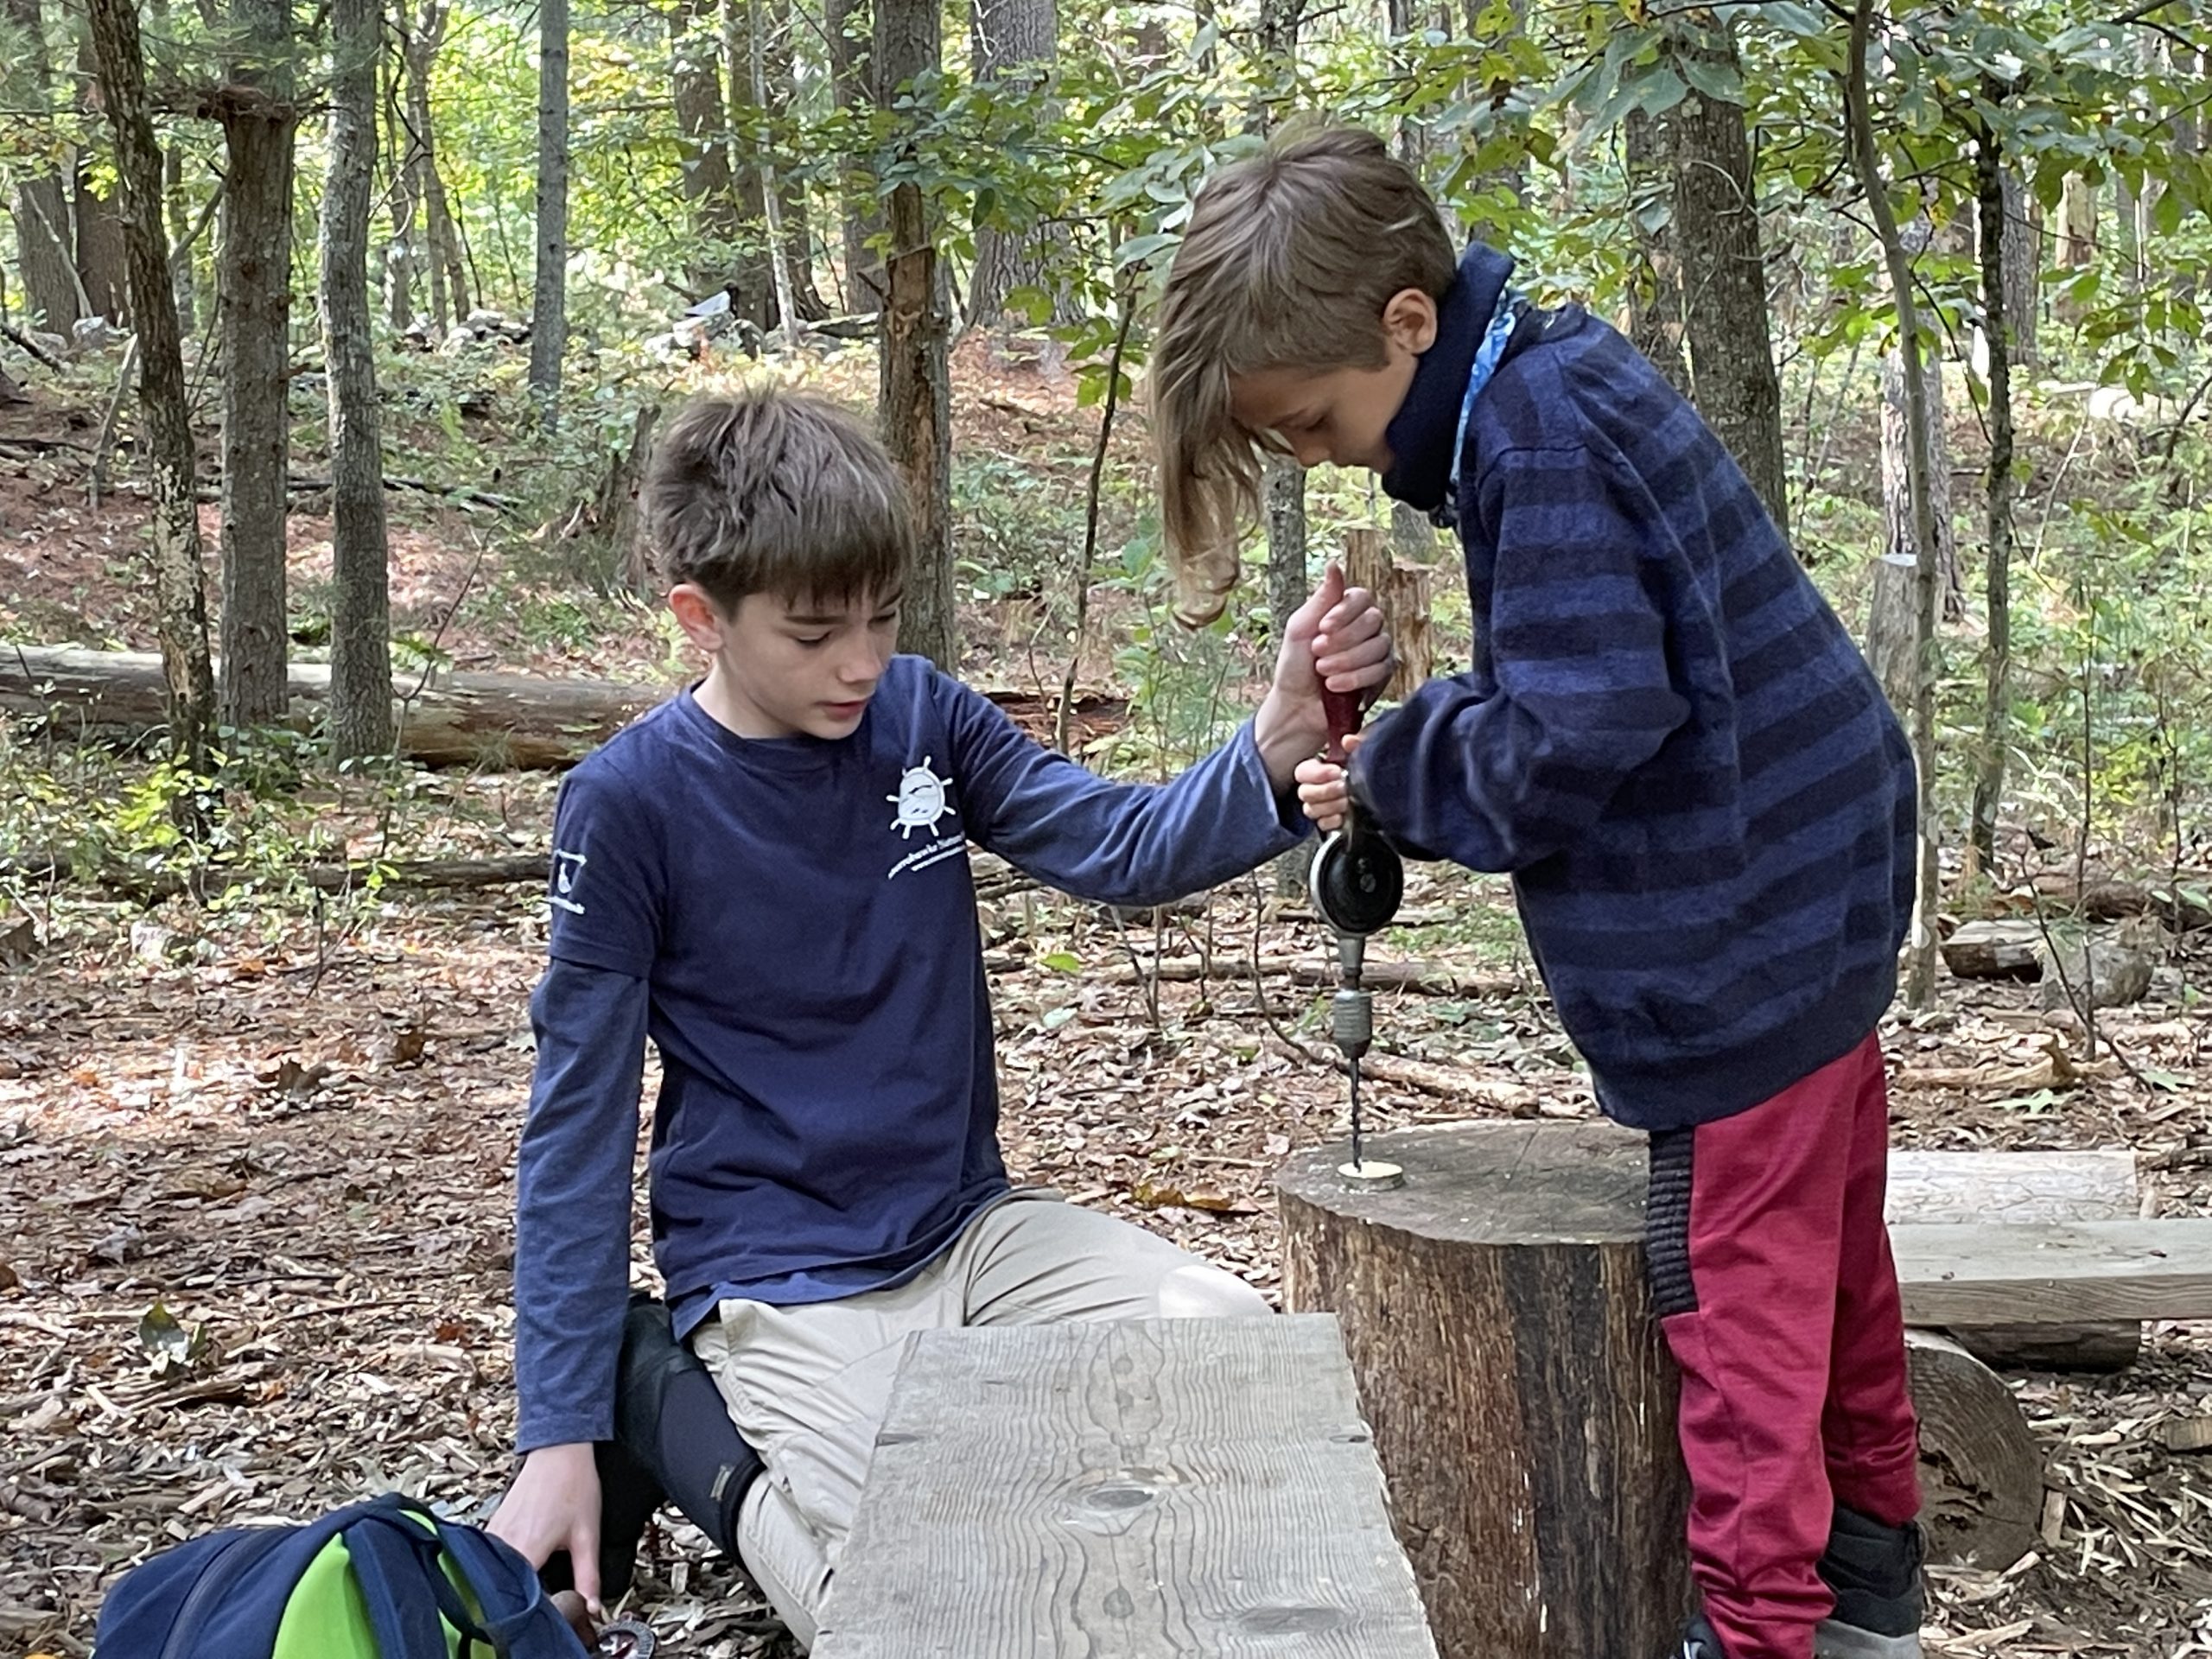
{"x":494,"y":722}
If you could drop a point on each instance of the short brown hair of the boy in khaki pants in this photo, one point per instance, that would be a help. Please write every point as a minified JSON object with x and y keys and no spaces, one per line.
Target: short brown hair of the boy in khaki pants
{"x":773,"y":492}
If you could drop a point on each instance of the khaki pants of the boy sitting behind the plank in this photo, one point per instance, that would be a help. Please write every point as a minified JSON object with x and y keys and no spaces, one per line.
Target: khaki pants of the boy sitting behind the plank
{"x":811,"y":1386}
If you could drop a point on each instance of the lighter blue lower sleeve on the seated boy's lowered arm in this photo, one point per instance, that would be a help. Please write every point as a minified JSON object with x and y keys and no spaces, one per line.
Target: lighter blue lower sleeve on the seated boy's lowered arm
{"x":574,"y":1202}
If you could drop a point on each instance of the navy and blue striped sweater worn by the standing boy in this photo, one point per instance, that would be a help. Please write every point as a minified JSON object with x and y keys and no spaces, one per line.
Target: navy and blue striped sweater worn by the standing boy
{"x":1667,"y":738}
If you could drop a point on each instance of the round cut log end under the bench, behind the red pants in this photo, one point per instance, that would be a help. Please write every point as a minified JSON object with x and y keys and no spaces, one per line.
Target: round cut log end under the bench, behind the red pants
{"x":1981,"y":1470}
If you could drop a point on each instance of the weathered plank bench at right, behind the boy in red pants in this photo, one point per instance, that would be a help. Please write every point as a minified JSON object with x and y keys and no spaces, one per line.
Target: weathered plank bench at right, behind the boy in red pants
{"x":2069,"y":1273}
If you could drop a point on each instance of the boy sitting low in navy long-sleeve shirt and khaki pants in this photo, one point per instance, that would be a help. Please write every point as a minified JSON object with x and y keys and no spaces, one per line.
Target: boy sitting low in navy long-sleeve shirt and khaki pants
{"x":769,"y":879}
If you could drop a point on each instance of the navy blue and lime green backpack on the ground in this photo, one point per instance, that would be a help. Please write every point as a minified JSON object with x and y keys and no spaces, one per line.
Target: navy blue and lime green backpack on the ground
{"x":379,"y":1580}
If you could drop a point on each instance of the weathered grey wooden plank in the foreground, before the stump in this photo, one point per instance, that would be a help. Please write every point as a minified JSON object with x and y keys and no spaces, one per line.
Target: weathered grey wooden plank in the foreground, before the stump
{"x":1125,"y":1492}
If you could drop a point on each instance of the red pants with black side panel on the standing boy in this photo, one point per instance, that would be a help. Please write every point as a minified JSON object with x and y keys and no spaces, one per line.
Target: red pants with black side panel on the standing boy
{"x":1775,"y":1286}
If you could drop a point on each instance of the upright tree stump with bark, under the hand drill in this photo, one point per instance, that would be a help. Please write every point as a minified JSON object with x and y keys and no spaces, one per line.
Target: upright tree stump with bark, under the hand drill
{"x":1523,"y":1401}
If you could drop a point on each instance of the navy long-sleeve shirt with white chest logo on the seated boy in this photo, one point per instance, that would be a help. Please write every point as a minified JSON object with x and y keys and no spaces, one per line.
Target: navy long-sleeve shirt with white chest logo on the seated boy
{"x":793,"y":924}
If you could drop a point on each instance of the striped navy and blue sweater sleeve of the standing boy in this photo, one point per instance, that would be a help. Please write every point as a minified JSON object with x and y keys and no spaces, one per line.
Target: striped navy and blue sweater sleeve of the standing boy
{"x":1505,"y":766}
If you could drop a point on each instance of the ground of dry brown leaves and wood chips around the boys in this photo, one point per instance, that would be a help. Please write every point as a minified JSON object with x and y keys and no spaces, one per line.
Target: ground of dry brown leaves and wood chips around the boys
{"x":302,"y":1147}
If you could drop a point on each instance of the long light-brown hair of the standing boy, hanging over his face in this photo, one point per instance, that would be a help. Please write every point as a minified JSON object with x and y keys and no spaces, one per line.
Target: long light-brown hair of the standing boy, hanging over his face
{"x":1286,"y":264}
